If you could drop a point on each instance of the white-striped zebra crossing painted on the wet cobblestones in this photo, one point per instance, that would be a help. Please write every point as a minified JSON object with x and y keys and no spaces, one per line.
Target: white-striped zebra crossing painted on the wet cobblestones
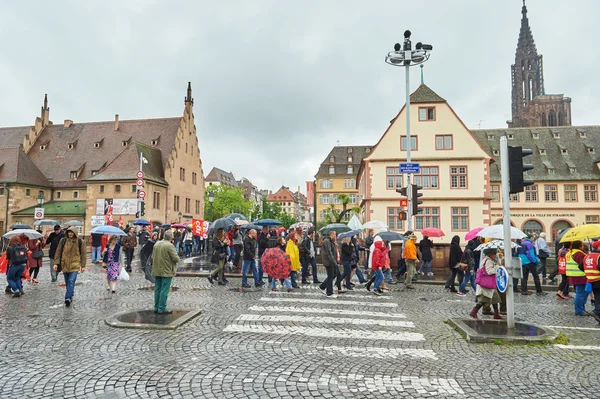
{"x":351,"y":316}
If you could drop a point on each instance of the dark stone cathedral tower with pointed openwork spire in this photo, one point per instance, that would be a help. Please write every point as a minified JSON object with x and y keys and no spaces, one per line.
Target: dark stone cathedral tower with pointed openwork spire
{"x":531,"y":106}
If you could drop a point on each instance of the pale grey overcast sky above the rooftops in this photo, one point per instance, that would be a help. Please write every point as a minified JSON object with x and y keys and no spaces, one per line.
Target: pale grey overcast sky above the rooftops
{"x":278,"y":83}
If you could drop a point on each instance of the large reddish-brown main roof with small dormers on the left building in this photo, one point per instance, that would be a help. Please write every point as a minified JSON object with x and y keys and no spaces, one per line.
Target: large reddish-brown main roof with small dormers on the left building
{"x":57,"y":161}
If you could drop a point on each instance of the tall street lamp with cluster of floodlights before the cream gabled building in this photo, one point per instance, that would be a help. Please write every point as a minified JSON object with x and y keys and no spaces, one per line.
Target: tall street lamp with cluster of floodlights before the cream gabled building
{"x":404,"y":55}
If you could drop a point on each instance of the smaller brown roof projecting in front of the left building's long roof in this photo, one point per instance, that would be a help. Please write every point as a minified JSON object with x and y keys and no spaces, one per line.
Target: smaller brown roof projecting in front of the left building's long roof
{"x":126,"y":164}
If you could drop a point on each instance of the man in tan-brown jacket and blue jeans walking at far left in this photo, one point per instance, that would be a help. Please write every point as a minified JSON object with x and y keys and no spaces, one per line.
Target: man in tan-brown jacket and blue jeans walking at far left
{"x":70,"y":258}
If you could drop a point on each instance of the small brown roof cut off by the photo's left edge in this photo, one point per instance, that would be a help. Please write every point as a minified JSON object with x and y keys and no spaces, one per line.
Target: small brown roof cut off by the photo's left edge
{"x":16,"y":167}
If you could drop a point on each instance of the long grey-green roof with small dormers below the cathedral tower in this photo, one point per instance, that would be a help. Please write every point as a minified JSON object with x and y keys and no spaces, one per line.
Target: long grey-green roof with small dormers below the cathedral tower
{"x":569,"y":149}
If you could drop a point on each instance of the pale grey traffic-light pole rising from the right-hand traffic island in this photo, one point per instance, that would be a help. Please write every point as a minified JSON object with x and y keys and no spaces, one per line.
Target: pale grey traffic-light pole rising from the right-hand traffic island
{"x":510,"y":304}
